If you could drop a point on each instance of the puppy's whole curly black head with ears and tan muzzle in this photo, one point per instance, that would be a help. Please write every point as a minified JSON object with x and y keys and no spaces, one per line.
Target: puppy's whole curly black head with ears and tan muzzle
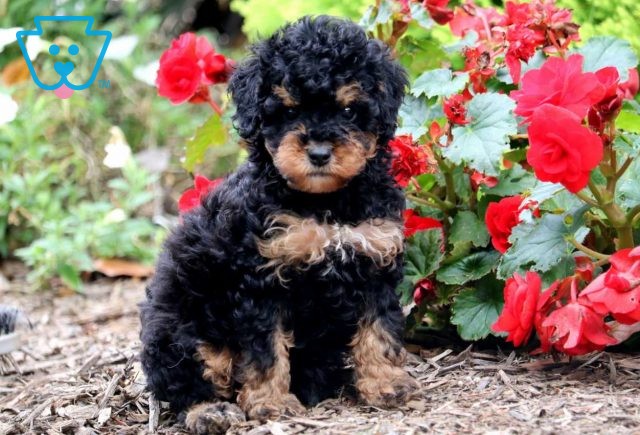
{"x":318,"y":99}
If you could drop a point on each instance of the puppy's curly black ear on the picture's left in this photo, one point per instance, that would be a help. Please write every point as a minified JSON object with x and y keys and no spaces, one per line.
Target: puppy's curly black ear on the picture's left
{"x":245,"y":87}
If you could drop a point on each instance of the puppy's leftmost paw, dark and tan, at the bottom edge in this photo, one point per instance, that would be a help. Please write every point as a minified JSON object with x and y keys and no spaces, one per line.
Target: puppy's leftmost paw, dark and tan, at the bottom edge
{"x":213,"y":418}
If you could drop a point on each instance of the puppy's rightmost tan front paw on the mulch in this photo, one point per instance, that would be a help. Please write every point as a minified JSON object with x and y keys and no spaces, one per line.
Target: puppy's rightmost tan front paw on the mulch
{"x":389,"y":391}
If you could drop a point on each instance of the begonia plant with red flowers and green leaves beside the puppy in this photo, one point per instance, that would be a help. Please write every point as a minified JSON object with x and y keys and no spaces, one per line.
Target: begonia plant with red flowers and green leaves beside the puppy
{"x":560,"y":120}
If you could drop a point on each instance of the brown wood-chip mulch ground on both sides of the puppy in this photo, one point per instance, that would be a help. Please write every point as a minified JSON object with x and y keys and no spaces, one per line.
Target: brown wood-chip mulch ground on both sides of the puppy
{"x":78,"y":372}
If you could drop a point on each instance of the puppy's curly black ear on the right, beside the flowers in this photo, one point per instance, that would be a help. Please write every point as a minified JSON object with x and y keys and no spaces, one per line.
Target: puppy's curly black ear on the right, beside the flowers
{"x":392,"y":80}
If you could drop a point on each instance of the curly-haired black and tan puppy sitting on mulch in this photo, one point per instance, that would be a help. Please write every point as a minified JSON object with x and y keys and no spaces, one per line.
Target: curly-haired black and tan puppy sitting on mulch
{"x":280,"y":289}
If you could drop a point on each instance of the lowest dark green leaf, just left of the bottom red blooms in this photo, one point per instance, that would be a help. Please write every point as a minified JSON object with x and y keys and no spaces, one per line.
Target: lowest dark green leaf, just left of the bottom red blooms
{"x":475,"y":310}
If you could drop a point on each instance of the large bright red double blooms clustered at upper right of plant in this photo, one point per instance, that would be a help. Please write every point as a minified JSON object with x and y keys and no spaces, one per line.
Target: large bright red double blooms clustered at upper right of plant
{"x":554,"y":100}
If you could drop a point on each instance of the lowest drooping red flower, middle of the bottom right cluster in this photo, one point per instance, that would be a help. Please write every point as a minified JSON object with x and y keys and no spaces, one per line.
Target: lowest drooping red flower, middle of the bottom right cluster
{"x":578,"y":329}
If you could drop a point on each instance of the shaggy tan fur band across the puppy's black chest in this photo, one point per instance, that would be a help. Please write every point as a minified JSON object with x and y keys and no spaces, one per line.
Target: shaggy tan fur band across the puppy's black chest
{"x":295,"y":242}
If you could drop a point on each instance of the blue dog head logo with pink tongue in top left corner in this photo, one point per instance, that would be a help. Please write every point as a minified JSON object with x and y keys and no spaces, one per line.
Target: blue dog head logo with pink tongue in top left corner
{"x":64,"y":82}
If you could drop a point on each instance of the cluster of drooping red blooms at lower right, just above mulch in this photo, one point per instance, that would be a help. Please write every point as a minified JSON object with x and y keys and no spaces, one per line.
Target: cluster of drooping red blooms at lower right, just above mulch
{"x":569,"y":320}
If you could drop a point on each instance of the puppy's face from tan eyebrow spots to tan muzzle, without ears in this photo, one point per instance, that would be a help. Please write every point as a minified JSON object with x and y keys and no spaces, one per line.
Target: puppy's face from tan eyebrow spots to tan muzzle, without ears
{"x":319,"y":142}
